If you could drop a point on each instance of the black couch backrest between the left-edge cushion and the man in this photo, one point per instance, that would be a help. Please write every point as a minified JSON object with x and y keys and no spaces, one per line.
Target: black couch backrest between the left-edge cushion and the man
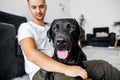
{"x":16,"y":21}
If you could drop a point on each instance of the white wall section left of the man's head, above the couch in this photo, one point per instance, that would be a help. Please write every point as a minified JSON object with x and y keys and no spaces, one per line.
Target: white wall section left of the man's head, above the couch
{"x":18,"y":7}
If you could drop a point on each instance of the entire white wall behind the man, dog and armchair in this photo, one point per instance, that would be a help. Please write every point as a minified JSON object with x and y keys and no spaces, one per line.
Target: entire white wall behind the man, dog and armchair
{"x":98,"y":13}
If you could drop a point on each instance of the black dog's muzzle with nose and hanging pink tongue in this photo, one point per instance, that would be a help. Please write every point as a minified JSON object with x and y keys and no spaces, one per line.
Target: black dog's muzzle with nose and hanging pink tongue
{"x":63,"y":47}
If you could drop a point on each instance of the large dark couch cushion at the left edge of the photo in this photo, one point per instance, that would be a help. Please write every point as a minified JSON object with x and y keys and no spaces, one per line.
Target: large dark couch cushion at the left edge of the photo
{"x":8,"y":59}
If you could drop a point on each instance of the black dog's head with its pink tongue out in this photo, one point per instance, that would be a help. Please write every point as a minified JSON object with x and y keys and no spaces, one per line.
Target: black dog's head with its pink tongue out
{"x":65,"y":34}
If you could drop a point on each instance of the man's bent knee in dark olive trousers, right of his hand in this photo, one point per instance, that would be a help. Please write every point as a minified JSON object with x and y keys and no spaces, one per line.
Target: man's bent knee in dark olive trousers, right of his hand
{"x":101,"y":69}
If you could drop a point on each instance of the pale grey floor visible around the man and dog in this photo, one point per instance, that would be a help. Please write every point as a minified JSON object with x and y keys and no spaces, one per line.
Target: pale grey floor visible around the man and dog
{"x":110,"y":54}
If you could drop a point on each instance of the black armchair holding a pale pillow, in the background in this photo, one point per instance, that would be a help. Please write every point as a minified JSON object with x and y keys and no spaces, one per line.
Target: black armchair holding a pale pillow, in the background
{"x":101,"y":37}
